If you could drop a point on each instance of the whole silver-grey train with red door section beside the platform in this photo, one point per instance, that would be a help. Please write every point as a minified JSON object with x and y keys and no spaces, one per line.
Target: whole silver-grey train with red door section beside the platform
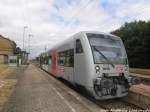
{"x":94,"y":60}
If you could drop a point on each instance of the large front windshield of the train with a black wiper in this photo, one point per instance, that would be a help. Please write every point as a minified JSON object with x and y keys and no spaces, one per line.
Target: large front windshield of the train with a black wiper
{"x":107,"y":49}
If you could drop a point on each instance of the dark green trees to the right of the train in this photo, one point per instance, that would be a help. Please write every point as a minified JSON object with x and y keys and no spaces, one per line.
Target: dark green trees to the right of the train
{"x":136,"y":38}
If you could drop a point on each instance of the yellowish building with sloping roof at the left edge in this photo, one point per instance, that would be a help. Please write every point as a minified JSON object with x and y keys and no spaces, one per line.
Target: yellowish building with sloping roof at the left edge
{"x":7,"y":48}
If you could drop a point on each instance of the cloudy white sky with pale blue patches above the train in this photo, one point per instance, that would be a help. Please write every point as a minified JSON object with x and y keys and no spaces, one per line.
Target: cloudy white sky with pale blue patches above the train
{"x":52,"y":21}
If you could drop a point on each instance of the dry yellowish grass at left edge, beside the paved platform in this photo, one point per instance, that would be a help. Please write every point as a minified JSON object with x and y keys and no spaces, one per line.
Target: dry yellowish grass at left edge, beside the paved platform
{"x":7,"y":84}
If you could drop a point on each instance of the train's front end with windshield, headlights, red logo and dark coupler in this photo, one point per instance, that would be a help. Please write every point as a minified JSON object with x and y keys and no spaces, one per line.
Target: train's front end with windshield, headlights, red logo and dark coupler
{"x":111,"y":69}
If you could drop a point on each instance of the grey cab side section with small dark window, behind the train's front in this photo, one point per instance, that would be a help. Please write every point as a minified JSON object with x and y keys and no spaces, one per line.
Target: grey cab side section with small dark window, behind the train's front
{"x":79,"y":77}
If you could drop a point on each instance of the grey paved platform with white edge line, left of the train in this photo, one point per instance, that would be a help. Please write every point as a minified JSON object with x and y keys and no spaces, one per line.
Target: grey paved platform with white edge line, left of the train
{"x":38,"y":92}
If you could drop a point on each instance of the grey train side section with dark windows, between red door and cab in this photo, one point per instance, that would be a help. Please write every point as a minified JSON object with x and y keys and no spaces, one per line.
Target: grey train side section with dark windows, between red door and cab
{"x":65,"y":60}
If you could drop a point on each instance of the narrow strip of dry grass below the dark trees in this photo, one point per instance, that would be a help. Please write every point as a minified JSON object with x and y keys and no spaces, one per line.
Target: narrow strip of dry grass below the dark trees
{"x":140,"y":71}
